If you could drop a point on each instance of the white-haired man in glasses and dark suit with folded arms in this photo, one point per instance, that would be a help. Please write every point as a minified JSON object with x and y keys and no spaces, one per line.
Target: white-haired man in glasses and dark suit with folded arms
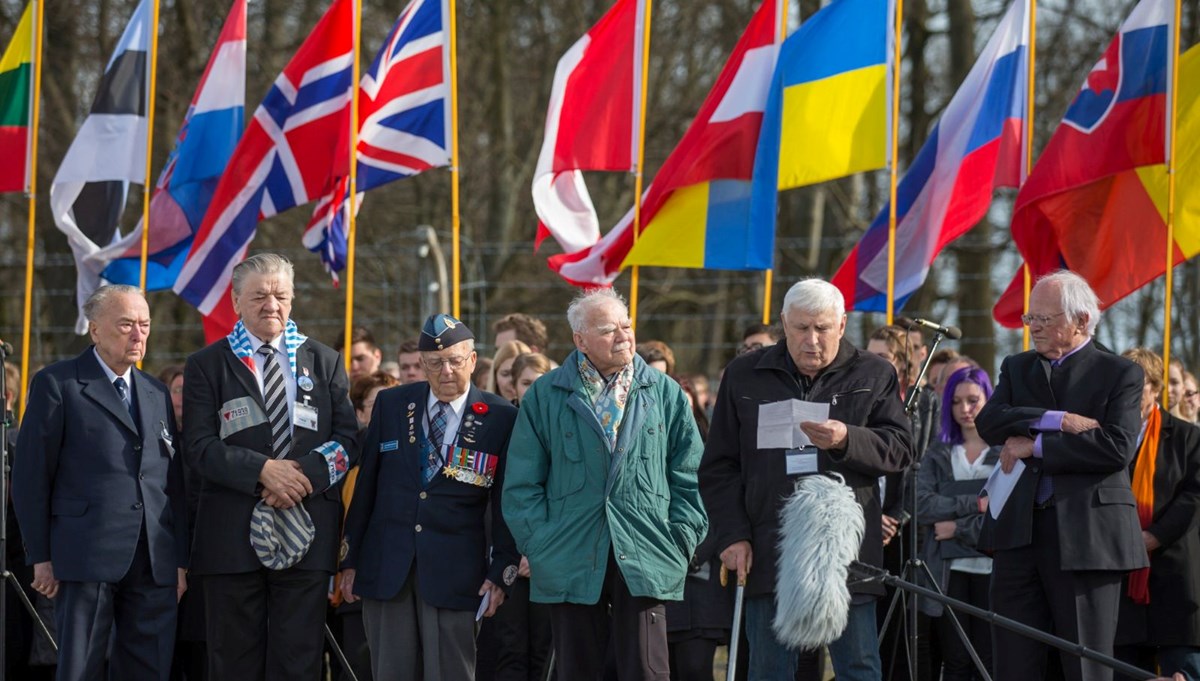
{"x":1070,"y":412}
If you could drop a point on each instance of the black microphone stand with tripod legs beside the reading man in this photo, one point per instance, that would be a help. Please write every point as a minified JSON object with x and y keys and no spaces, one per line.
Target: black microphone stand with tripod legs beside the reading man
{"x":914,"y":568}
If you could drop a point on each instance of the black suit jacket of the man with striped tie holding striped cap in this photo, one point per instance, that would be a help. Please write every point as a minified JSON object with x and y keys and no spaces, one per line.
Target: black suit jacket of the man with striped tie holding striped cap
{"x":231,"y":453}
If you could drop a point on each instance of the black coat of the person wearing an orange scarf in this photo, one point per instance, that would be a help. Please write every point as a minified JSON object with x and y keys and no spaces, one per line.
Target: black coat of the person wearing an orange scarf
{"x":1173,"y":617}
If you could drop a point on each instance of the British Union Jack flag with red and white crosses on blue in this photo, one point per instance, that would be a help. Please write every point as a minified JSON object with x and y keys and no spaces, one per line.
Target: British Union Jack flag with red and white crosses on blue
{"x":404,"y":123}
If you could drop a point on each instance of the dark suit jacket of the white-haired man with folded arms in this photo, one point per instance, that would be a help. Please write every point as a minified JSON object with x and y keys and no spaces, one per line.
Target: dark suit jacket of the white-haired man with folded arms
{"x":1094,"y":499}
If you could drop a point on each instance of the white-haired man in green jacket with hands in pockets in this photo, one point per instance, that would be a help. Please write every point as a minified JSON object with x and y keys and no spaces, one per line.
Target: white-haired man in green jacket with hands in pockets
{"x":601,"y":495}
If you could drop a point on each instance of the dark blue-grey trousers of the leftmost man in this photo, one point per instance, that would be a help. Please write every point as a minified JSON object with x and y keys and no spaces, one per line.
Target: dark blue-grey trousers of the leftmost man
{"x":137,"y":614}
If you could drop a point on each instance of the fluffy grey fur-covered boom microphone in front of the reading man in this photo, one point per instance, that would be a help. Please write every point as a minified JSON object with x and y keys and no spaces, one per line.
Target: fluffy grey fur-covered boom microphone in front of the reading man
{"x":821,"y":531}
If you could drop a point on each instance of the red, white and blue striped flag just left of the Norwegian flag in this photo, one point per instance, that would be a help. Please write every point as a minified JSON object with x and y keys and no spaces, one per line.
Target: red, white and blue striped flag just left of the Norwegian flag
{"x":207,"y":138}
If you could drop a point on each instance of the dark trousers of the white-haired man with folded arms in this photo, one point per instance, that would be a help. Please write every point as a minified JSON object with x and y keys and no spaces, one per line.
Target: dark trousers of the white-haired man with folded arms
{"x":1029,"y":586}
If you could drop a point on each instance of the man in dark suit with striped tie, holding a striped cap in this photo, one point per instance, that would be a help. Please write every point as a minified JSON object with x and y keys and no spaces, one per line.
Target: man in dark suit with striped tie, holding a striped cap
{"x":272,"y":431}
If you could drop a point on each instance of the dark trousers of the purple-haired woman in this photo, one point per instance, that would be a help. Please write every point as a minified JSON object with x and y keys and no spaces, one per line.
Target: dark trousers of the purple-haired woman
{"x":957,"y":660}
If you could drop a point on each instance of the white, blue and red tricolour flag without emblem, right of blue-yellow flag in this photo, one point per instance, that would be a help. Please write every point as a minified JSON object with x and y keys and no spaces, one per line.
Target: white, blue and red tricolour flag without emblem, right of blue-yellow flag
{"x":976,"y":148}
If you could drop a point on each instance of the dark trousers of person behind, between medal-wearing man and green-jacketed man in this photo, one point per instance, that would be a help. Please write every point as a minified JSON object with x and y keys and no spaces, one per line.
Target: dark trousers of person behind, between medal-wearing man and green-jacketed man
{"x":523,"y":636}
